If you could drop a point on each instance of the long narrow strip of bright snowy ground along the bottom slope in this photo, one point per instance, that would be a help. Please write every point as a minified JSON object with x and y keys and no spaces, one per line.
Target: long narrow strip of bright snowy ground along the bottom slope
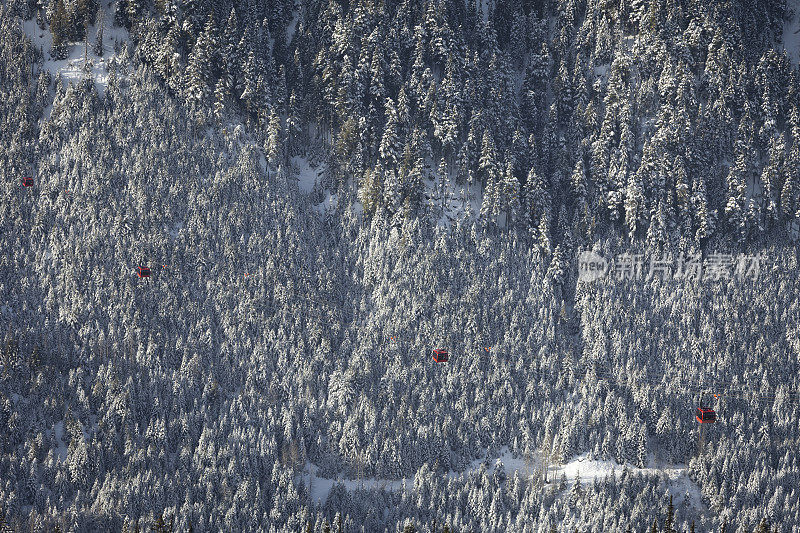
{"x":675,"y":476}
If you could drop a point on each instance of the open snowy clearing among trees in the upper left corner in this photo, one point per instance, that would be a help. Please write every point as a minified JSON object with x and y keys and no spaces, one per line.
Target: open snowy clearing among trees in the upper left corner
{"x":72,"y":69}
